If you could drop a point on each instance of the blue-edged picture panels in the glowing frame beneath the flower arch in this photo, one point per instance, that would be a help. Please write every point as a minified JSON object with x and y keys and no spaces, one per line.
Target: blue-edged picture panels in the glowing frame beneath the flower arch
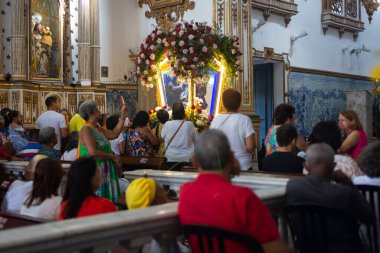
{"x":175,"y":91}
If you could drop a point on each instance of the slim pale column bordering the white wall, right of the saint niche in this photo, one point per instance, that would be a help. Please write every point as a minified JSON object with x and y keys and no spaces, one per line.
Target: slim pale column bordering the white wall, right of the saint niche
{"x":95,"y":48}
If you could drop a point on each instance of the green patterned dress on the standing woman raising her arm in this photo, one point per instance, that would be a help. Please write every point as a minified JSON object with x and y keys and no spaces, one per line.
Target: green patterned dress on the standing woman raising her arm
{"x":110,"y":188}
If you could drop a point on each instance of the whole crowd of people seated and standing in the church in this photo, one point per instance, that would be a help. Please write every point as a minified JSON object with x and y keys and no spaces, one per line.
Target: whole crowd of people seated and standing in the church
{"x":335,"y":157}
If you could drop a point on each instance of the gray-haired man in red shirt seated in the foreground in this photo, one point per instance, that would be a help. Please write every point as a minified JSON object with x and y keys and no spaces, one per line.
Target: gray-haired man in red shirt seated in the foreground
{"x":213,"y":201}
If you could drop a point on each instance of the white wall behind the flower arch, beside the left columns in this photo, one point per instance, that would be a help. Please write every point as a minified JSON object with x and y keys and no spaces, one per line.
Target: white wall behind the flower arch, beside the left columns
{"x":123,"y":26}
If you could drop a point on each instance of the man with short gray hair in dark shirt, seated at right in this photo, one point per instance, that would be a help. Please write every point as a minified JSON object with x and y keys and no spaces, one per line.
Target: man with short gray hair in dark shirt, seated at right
{"x":318,"y":189}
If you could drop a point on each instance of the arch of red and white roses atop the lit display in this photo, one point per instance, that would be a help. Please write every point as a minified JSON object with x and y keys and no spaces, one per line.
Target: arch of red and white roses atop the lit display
{"x":192,"y":49}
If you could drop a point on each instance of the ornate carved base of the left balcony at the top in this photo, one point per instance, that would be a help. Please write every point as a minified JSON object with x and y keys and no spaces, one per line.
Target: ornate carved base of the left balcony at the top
{"x":285,"y":8}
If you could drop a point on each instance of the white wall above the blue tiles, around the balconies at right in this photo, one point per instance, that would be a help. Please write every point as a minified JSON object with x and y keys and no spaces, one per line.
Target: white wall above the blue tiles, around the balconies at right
{"x":318,"y":51}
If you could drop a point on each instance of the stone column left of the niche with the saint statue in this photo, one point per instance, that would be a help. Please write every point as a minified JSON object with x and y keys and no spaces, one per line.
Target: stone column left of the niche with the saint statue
{"x":18,"y":52}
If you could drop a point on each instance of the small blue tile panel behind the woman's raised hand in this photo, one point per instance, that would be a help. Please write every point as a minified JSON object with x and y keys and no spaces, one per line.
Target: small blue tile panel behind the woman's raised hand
{"x":114,"y":103}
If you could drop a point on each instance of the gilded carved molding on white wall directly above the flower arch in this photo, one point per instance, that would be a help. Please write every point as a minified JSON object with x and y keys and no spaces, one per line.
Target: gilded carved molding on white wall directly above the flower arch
{"x":162,"y":9}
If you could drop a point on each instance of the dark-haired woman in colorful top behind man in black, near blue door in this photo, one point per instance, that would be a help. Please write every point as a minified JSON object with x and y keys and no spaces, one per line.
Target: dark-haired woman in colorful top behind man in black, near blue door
{"x":283,"y":114}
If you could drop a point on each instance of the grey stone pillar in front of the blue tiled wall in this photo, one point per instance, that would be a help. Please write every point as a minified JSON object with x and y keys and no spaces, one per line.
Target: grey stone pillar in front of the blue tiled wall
{"x":361,"y":102}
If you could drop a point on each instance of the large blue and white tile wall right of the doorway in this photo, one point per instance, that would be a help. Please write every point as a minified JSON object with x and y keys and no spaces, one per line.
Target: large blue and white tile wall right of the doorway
{"x":318,"y":97}
